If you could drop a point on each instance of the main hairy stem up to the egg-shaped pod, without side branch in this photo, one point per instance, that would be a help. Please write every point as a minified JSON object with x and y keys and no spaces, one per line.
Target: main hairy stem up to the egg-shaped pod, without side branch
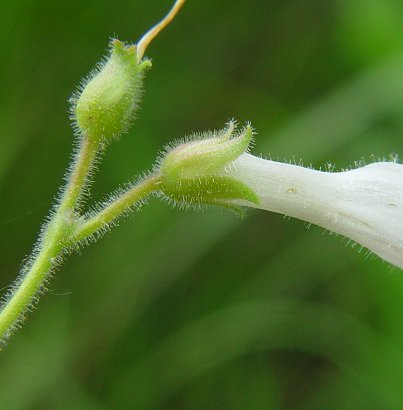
{"x":51,"y":244}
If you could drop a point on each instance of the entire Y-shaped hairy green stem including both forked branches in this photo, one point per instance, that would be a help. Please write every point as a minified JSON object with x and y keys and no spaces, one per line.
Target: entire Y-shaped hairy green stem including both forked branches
{"x":64,"y":231}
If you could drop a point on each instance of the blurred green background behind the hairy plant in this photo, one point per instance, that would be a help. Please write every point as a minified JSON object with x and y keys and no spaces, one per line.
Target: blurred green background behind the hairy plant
{"x":177,"y":310}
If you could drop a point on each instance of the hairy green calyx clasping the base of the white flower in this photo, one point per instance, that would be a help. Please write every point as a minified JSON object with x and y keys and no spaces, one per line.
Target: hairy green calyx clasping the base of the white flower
{"x":197,"y":171}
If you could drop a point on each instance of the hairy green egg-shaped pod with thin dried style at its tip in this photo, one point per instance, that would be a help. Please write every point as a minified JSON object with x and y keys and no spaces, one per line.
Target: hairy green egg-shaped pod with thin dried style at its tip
{"x":104,"y":107}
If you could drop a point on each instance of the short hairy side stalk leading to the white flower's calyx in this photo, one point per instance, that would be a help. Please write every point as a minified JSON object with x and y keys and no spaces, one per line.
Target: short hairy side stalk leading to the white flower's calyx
{"x":115,"y":209}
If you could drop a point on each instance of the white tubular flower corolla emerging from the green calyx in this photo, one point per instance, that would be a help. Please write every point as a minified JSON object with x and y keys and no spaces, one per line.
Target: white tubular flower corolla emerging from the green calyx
{"x":364,"y":204}
